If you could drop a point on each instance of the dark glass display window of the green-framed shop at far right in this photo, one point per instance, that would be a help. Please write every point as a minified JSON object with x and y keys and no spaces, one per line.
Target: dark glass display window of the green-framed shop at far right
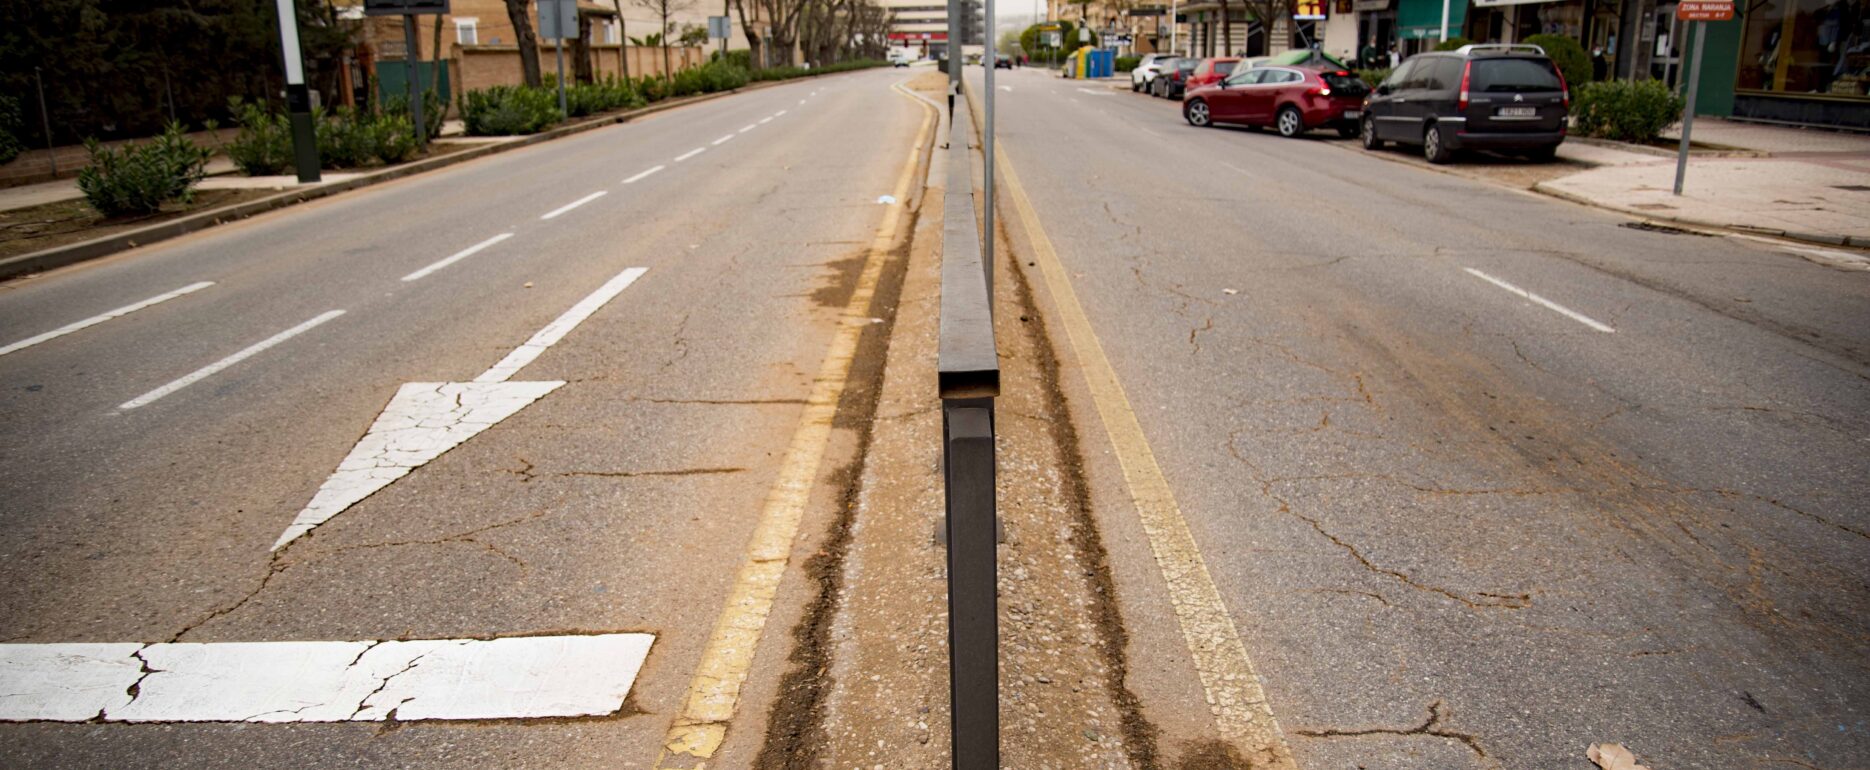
{"x":1815,"y":48}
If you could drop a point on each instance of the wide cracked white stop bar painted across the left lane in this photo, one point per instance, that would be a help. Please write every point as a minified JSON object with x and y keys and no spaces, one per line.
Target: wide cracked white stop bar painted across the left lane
{"x":323,"y":681}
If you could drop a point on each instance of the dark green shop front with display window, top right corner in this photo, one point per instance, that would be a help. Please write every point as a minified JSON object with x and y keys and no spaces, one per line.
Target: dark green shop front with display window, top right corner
{"x":1805,"y":63}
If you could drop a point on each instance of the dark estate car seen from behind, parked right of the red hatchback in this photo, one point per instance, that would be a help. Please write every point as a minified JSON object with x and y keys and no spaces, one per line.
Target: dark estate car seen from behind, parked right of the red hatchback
{"x":1480,"y":96}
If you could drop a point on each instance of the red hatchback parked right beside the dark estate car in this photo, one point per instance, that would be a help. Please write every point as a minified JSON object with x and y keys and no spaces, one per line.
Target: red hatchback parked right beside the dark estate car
{"x":1293,"y":100}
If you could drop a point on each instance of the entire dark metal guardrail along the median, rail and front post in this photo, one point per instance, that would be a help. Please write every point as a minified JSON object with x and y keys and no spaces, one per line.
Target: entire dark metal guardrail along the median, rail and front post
{"x":970,"y":378}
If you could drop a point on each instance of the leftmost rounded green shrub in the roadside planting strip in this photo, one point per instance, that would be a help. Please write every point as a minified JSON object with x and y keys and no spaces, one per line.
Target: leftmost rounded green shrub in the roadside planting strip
{"x":139,"y":178}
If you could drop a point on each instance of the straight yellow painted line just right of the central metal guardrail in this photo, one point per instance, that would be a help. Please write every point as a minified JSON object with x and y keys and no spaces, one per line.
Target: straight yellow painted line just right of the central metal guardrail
{"x":1235,"y":696}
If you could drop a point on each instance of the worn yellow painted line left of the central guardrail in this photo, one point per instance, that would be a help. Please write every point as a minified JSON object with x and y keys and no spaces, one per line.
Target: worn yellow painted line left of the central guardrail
{"x":715,"y":691}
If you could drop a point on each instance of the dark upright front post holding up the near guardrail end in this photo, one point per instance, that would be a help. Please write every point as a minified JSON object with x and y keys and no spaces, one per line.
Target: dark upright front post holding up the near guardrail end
{"x":973,"y":623}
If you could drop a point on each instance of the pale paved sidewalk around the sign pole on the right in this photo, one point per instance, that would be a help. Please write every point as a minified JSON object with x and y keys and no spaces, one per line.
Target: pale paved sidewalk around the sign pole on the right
{"x":1811,"y":186}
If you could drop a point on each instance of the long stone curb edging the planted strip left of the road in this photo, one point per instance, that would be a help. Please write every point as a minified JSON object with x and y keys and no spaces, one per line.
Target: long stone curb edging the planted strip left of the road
{"x":100,"y":248}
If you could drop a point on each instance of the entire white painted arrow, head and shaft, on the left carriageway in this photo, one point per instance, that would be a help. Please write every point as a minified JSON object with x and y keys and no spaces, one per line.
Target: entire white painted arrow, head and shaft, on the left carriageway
{"x":427,"y":420}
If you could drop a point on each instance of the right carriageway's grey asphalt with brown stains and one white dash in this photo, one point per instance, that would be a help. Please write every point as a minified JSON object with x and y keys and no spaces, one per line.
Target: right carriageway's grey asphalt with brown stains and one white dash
{"x":1460,"y":528}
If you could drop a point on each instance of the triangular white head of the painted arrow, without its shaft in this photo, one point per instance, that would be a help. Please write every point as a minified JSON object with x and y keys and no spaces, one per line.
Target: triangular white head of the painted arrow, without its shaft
{"x":422,"y":423}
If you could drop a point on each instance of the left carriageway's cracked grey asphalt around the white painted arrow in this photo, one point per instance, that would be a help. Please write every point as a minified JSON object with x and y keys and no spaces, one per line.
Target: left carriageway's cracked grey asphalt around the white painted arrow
{"x":622,"y":502}
